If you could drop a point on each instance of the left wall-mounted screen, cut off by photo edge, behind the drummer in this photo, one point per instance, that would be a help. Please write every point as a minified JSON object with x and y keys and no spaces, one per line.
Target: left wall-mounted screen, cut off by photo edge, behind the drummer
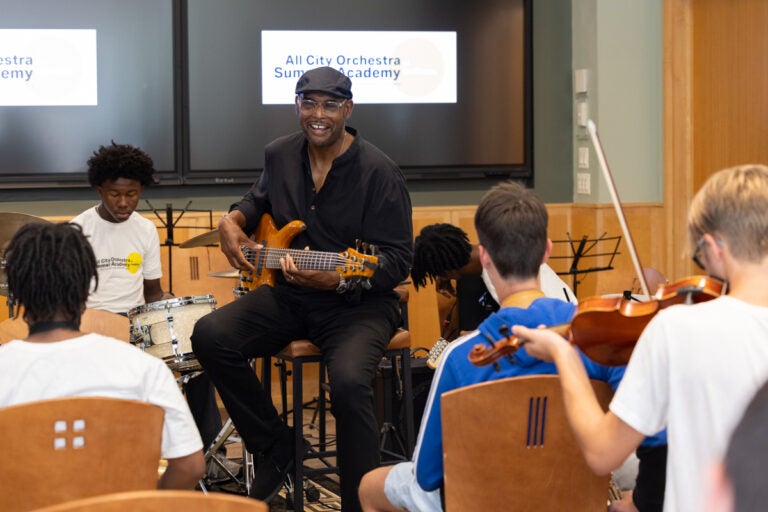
{"x":78,"y":74}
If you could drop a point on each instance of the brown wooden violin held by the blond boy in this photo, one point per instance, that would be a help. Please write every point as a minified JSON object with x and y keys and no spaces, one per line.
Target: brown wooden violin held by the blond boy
{"x":607,"y":329}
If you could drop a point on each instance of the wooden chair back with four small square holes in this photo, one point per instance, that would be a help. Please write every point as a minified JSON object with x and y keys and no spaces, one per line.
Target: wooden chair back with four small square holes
{"x":68,"y":448}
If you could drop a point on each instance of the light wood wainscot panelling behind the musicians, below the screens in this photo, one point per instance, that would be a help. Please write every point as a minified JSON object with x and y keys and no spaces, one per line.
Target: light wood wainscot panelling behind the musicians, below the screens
{"x":191,"y":267}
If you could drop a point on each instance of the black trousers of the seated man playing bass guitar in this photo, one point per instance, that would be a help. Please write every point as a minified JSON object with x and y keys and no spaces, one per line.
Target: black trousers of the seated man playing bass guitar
{"x":352,"y":336}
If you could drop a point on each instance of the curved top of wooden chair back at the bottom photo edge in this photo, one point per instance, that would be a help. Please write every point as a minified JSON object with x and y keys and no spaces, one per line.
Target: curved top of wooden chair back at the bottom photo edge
{"x":161,"y":500}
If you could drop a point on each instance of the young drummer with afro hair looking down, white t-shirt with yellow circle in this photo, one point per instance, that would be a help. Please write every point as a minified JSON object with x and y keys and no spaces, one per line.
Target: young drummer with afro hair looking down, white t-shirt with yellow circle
{"x":127,"y":250}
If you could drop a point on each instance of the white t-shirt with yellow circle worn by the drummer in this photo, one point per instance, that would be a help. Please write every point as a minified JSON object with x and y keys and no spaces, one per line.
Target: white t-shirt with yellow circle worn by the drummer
{"x":127,"y":253}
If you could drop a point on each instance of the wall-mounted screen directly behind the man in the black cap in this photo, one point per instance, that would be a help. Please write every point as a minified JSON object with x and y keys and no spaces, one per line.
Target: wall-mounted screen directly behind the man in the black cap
{"x":442,"y":86}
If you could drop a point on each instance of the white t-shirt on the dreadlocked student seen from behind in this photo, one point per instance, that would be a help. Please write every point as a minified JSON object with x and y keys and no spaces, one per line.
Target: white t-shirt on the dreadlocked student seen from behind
{"x":96,"y":365}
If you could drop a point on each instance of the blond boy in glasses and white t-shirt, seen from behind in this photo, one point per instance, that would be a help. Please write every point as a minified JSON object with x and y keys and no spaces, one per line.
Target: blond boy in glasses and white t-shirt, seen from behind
{"x":695,"y":367}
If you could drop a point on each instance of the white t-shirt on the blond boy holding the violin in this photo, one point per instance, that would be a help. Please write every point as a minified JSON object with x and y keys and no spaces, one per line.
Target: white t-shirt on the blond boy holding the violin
{"x":694,"y":370}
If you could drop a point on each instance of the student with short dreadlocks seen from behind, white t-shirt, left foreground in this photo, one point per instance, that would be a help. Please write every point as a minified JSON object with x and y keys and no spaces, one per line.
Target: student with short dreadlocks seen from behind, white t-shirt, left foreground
{"x":50,"y":268}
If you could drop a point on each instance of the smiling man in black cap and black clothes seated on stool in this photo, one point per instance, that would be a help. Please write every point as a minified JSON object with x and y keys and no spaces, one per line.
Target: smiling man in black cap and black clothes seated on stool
{"x":342,"y":188}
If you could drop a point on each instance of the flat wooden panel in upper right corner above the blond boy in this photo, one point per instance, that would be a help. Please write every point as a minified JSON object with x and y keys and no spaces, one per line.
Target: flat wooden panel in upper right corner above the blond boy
{"x":730,"y":85}
